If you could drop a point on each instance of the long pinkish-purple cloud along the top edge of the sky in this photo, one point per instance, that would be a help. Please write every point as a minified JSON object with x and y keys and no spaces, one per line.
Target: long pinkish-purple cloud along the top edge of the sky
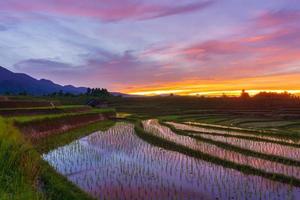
{"x":106,"y":10}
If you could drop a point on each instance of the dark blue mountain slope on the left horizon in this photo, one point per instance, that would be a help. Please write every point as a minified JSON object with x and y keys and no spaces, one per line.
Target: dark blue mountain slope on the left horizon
{"x":18,"y":82}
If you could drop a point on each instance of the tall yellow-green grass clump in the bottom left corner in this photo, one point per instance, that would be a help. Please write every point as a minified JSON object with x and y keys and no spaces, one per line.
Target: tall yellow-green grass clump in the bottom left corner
{"x":19,"y":166}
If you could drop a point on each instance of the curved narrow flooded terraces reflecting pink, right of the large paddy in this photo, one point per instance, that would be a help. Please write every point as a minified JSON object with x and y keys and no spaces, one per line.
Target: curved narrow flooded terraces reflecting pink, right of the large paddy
{"x":275,"y":161}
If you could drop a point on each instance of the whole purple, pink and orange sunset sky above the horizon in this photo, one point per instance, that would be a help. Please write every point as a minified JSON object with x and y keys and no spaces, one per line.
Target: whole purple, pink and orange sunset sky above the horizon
{"x":187,"y":47}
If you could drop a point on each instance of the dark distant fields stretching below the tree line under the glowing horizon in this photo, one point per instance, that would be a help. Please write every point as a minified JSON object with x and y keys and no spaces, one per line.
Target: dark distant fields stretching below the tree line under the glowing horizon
{"x":275,"y":115}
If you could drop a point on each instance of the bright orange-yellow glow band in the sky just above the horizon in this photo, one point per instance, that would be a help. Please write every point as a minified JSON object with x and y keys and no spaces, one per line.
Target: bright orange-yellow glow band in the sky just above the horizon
{"x":288,"y":83}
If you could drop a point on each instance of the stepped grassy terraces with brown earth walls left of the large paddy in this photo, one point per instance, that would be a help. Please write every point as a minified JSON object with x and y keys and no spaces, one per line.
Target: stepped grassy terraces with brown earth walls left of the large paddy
{"x":39,"y":126}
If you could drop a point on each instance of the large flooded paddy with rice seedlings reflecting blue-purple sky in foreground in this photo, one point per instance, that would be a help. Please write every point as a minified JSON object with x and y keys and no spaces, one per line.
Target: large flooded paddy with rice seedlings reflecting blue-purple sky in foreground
{"x":116,"y":164}
